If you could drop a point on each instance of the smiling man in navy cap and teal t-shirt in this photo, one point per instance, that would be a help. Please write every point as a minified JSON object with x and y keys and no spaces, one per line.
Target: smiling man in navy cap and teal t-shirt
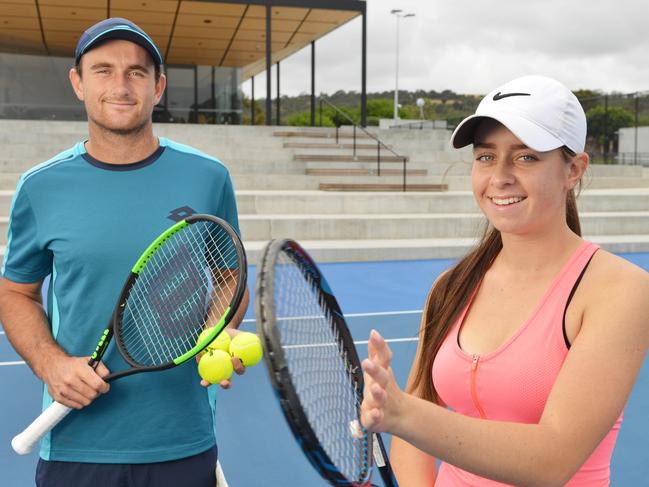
{"x":84,"y":217}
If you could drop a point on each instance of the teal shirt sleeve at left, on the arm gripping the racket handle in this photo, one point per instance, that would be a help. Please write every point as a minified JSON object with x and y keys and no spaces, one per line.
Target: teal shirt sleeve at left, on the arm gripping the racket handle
{"x":25,"y":261}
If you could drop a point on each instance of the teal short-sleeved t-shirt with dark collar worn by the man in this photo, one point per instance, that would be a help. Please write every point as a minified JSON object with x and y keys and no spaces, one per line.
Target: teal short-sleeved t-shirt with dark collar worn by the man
{"x":85,"y":223}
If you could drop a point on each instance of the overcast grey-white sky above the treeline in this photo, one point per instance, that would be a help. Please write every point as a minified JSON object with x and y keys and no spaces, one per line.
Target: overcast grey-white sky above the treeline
{"x":472,"y":46}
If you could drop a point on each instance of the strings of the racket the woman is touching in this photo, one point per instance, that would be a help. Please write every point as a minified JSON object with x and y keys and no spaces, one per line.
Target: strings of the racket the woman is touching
{"x":321,"y":372}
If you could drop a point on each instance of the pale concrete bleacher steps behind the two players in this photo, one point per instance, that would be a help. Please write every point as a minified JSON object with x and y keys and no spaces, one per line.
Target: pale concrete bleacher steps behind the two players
{"x":279,"y":196}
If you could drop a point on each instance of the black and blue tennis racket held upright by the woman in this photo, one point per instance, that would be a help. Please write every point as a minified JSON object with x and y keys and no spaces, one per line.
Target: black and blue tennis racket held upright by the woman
{"x":314,"y":367}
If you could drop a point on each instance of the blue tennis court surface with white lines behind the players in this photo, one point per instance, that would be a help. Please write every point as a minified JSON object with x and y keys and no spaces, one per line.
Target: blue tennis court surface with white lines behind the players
{"x":255,"y":444}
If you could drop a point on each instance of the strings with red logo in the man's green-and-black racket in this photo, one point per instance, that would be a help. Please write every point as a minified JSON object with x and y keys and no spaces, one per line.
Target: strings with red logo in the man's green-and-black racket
{"x":185,"y":287}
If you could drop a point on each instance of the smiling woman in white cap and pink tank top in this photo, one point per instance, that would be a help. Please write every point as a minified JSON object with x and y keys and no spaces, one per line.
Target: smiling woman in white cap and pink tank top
{"x":533,"y":341}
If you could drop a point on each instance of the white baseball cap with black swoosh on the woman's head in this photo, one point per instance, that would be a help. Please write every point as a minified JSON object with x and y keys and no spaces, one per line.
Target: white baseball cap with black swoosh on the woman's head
{"x":540,"y":111}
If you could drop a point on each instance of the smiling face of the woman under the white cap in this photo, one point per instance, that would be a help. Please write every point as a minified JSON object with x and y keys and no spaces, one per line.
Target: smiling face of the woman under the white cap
{"x":520,"y":191}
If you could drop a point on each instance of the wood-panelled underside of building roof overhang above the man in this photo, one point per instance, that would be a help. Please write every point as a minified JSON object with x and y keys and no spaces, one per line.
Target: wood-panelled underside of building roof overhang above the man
{"x":228,"y":33}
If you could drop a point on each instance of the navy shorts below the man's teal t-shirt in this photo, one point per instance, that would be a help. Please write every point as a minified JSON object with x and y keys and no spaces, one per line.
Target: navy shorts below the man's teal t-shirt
{"x":196,"y":471}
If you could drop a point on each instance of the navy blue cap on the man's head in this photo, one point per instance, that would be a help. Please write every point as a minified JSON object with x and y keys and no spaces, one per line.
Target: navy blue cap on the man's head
{"x":116,"y":28}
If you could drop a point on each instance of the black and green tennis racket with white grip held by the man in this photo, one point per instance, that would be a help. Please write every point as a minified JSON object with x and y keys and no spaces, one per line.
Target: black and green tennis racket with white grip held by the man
{"x":191,"y":277}
